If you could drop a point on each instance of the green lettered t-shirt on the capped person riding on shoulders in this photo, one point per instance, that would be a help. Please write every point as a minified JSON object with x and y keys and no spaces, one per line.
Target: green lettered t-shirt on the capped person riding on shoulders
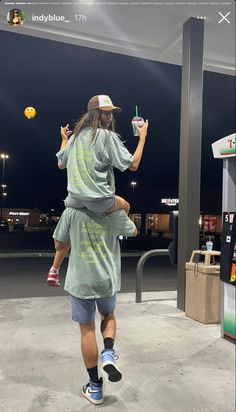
{"x":90,"y":163}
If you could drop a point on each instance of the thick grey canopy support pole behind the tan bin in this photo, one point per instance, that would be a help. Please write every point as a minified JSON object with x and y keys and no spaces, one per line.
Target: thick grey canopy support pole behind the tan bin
{"x":190,"y":148}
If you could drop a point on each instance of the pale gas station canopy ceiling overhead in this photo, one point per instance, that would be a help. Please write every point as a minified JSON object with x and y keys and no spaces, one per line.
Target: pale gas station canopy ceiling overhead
{"x":150,"y":30}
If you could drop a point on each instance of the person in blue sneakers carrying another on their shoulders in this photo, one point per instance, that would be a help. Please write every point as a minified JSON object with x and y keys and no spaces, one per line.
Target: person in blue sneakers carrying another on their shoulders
{"x":93,"y":279}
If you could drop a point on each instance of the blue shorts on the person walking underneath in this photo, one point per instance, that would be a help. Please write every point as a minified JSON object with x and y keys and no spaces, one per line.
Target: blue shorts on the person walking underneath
{"x":83,"y":310}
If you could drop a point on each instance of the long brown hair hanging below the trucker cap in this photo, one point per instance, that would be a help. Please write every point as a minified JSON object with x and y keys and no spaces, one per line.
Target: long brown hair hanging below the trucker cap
{"x":91,"y":120}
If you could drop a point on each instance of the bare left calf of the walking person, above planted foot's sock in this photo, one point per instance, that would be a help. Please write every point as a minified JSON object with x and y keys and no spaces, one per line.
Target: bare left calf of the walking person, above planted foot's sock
{"x":89,"y":345}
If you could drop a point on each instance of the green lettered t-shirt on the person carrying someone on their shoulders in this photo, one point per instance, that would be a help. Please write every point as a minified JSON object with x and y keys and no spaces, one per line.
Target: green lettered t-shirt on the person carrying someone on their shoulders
{"x":94,"y":267}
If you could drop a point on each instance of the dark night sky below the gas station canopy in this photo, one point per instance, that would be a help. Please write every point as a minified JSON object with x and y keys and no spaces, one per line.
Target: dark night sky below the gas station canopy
{"x":58,"y":79}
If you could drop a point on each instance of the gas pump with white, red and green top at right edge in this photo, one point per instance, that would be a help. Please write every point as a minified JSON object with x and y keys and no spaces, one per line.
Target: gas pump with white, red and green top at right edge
{"x":226,"y":149}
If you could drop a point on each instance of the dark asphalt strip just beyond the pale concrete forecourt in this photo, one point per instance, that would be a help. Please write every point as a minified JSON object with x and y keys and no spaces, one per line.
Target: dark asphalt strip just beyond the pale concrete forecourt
{"x":26,"y":276}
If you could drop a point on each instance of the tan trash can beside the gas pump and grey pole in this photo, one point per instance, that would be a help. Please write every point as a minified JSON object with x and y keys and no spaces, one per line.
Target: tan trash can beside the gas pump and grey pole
{"x":202,"y":299}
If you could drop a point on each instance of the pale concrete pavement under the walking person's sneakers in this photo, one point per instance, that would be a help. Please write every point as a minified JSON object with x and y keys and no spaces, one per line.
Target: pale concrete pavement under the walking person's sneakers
{"x":170,"y":363}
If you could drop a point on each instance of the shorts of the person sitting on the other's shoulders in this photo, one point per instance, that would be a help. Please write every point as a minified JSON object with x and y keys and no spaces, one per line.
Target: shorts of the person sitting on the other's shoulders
{"x":99,"y":205}
